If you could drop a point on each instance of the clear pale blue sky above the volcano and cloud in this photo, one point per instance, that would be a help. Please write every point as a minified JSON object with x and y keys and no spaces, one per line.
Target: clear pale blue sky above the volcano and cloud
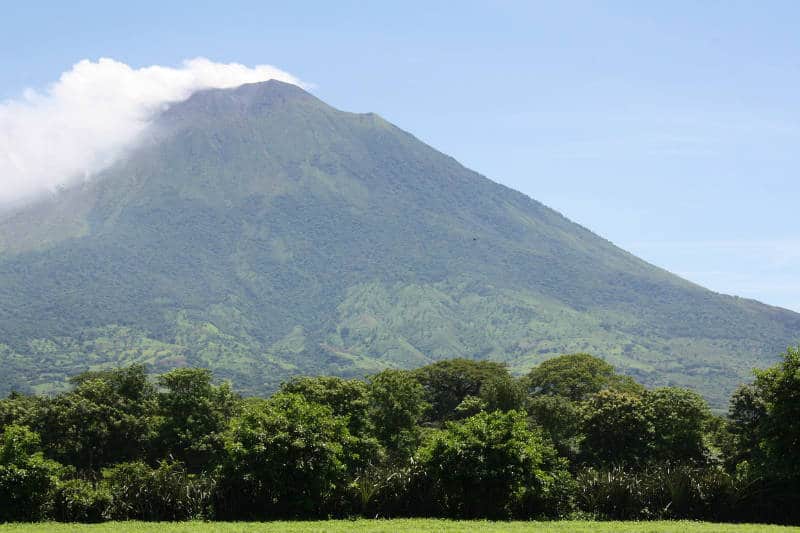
{"x":671,"y":128}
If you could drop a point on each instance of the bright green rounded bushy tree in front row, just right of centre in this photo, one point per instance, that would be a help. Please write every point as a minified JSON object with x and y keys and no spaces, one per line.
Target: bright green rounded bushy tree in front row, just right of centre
{"x":492,"y":465}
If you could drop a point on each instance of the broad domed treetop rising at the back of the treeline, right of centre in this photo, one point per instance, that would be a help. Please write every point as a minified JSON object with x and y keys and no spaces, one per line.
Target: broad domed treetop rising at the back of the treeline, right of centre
{"x":578,"y":376}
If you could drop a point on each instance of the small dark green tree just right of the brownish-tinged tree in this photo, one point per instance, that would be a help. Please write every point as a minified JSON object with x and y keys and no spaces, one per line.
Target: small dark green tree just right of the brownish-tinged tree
{"x":679,"y":418}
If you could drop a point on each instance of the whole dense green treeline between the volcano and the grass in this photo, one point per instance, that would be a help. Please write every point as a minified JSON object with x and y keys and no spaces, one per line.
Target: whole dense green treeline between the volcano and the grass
{"x":458,"y":438}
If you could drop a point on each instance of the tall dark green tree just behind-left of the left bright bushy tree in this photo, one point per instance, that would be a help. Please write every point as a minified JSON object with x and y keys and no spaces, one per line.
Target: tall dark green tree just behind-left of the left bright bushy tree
{"x":194,"y":415}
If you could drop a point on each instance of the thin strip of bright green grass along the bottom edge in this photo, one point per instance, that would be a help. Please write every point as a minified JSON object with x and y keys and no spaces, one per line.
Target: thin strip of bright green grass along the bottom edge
{"x":394,"y":526}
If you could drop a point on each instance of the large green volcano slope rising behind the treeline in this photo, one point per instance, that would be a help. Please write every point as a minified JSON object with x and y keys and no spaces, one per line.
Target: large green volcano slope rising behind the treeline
{"x":261,"y":233}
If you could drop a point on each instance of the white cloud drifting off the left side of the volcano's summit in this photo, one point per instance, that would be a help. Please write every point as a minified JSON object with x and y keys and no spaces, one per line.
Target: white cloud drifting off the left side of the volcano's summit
{"x":82,"y":122}
